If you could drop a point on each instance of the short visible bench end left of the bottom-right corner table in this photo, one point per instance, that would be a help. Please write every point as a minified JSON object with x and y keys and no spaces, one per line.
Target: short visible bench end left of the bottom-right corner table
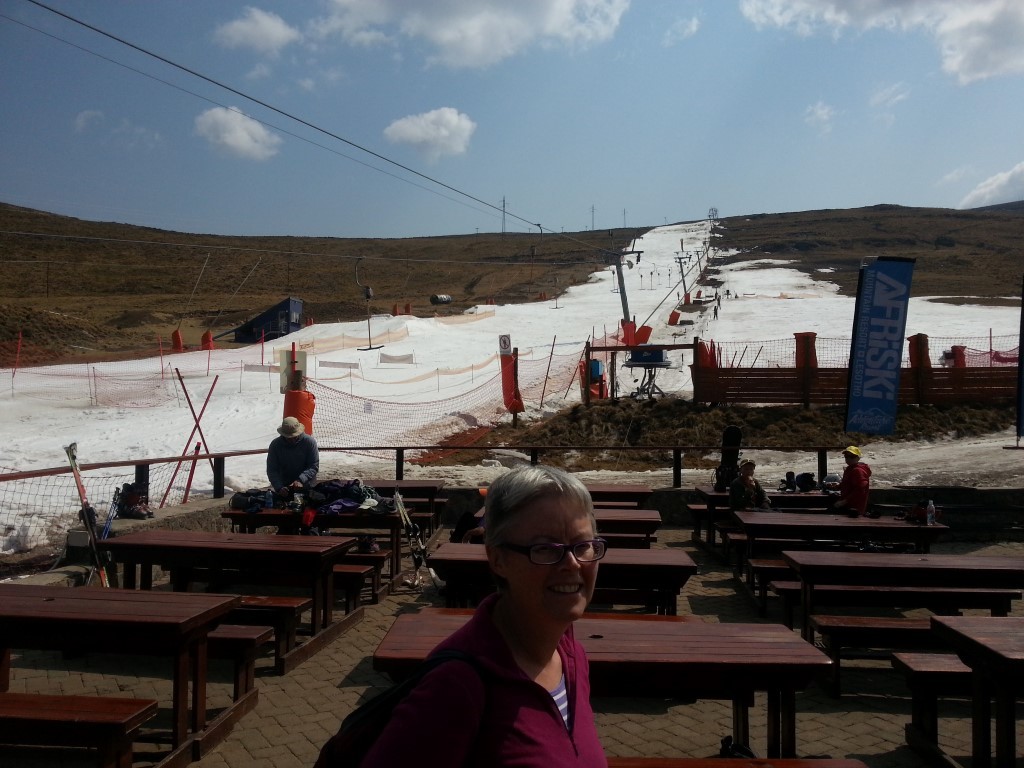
{"x":930,"y":676}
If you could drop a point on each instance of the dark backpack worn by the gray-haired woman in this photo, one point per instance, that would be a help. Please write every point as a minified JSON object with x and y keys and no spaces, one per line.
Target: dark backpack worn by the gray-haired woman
{"x":364,"y":726}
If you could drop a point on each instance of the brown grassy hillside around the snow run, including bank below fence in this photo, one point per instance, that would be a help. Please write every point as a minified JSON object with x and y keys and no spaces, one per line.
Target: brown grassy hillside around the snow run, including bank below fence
{"x":81,"y":289}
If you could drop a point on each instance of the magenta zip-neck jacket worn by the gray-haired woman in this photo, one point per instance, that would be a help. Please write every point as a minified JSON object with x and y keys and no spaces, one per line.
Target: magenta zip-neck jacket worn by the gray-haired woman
{"x":454,"y":718}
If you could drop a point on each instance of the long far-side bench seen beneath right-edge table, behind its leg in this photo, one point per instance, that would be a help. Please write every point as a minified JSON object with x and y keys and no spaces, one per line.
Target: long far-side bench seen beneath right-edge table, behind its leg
{"x":936,"y":600}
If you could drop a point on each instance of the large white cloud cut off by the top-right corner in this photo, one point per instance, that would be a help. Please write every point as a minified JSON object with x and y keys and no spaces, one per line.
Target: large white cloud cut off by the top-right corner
{"x":977,"y":39}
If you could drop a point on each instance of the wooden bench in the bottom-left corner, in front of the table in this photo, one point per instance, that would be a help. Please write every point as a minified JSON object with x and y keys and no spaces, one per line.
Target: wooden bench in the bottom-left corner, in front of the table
{"x":104,"y":723}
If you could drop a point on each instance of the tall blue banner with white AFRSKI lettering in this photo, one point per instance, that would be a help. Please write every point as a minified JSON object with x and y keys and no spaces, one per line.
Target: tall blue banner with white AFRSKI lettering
{"x":879,"y":327}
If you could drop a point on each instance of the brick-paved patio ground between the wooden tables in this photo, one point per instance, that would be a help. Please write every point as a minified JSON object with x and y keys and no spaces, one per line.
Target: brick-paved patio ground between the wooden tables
{"x":297,"y":713}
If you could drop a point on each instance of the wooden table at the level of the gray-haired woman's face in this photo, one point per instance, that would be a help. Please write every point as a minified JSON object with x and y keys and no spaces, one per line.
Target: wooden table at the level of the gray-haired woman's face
{"x":651,"y":576}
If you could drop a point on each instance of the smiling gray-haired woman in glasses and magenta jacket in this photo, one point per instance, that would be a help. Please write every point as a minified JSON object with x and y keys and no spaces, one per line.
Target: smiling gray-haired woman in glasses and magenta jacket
{"x":526,"y":702}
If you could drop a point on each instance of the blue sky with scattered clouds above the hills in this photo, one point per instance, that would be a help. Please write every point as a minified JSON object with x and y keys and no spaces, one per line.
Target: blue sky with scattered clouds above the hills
{"x":575,"y":113}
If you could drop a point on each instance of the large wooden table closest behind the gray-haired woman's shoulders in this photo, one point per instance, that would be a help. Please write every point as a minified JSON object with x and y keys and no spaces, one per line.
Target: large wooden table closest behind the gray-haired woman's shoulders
{"x":661,"y":659}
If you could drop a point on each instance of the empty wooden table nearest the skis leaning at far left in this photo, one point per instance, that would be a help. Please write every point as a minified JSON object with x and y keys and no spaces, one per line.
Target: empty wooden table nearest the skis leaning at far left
{"x":298,"y":558}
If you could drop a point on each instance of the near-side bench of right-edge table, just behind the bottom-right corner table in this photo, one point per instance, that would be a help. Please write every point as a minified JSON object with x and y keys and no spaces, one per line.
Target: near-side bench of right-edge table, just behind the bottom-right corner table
{"x":869,"y":632}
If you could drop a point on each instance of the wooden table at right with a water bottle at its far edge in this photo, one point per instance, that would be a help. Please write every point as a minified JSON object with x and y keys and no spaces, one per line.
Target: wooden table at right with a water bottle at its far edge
{"x":832,"y":527}
